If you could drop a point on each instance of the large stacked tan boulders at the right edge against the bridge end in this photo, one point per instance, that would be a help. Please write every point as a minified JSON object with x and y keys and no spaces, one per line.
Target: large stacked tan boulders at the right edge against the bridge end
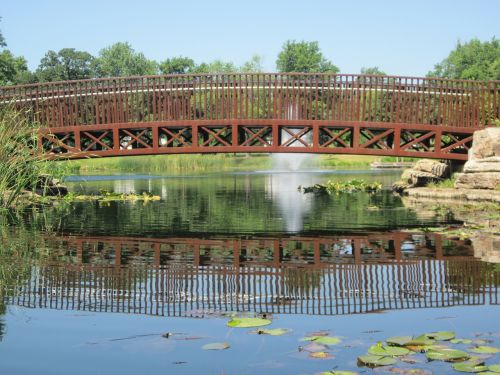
{"x":482,"y":170}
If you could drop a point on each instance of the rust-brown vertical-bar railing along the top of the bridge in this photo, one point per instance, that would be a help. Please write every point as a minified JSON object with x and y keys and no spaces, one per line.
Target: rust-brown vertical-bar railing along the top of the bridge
{"x":262,"y":96}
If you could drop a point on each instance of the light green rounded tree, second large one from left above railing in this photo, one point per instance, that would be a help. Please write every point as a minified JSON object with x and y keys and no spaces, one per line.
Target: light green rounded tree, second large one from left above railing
{"x":121,"y":60}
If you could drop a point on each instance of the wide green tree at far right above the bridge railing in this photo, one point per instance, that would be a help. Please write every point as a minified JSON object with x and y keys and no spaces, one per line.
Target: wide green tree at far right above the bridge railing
{"x":472,"y":60}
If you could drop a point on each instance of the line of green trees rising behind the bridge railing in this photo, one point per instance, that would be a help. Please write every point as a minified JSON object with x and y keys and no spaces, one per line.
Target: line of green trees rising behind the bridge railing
{"x":473,"y":60}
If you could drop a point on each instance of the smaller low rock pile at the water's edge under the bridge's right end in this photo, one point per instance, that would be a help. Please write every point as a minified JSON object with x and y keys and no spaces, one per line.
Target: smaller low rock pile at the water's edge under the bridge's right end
{"x":422,"y":173}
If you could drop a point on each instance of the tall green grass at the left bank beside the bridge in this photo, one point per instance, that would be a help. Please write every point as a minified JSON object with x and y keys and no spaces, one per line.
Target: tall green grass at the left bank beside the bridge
{"x":20,"y":164}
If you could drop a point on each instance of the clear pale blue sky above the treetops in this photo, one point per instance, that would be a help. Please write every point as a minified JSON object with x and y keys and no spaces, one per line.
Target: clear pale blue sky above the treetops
{"x":400,"y":37}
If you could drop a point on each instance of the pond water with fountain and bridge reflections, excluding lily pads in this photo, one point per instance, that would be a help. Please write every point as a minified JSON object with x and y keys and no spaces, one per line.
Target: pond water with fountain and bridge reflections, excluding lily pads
{"x":91,"y":288}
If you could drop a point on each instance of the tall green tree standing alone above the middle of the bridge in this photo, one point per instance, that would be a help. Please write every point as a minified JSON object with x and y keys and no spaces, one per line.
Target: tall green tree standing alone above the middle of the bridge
{"x":303,"y":57}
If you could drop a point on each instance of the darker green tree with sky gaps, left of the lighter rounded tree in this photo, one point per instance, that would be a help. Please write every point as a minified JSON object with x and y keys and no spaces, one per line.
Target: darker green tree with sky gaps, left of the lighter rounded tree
{"x":67,"y":64}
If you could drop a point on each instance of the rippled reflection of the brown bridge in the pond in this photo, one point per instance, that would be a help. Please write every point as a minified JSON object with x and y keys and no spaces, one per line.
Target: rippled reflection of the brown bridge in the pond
{"x":293,"y":275}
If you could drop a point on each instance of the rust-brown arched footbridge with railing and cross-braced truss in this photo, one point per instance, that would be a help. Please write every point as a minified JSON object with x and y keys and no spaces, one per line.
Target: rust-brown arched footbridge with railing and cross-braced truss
{"x":292,"y":112}
